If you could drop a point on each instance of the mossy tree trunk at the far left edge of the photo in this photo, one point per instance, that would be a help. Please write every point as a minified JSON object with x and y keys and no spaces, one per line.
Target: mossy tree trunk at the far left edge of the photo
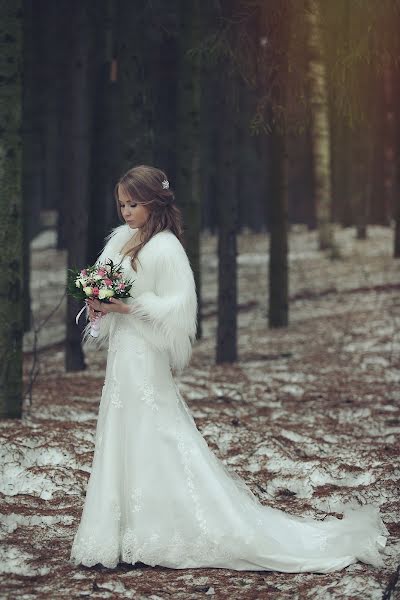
{"x":11,"y":229}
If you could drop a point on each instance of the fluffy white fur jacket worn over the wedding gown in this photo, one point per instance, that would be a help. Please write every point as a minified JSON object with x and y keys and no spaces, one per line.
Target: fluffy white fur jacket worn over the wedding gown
{"x":163,"y":302}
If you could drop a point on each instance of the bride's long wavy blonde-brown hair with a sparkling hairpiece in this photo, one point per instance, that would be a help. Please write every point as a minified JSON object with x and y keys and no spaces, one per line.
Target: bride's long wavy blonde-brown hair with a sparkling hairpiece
{"x":143,"y":184}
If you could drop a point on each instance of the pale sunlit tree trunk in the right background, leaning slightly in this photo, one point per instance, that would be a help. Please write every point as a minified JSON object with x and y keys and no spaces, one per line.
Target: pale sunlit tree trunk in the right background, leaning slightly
{"x":320,"y":137}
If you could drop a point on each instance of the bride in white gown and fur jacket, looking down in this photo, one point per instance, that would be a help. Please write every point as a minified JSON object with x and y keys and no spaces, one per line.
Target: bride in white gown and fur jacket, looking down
{"x":157,"y":494}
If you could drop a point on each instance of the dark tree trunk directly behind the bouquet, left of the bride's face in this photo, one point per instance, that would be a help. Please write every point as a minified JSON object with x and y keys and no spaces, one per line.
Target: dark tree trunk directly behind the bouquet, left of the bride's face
{"x":78,"y":145}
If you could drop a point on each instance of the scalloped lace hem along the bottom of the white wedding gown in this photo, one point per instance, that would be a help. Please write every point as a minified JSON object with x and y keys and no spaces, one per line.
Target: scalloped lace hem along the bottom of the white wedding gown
{"x":177,"y":553}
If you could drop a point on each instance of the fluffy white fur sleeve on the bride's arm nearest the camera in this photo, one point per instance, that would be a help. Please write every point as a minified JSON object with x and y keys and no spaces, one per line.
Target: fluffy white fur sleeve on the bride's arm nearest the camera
{"x":168,"y":315}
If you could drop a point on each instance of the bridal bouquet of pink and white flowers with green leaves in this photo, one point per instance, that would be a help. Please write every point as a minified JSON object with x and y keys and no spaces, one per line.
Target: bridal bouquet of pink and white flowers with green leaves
{"x":102,"y":281}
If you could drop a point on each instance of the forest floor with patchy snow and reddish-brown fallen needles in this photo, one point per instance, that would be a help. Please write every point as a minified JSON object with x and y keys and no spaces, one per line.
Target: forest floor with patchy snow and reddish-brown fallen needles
{"x":309,"y":416}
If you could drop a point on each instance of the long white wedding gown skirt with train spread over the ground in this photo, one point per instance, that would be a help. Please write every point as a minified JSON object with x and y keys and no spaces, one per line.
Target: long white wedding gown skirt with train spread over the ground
{"x":158,"y":494}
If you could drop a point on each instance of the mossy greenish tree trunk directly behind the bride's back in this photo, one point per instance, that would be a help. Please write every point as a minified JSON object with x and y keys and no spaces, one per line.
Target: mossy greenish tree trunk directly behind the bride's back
{"x":188,"y":148}
